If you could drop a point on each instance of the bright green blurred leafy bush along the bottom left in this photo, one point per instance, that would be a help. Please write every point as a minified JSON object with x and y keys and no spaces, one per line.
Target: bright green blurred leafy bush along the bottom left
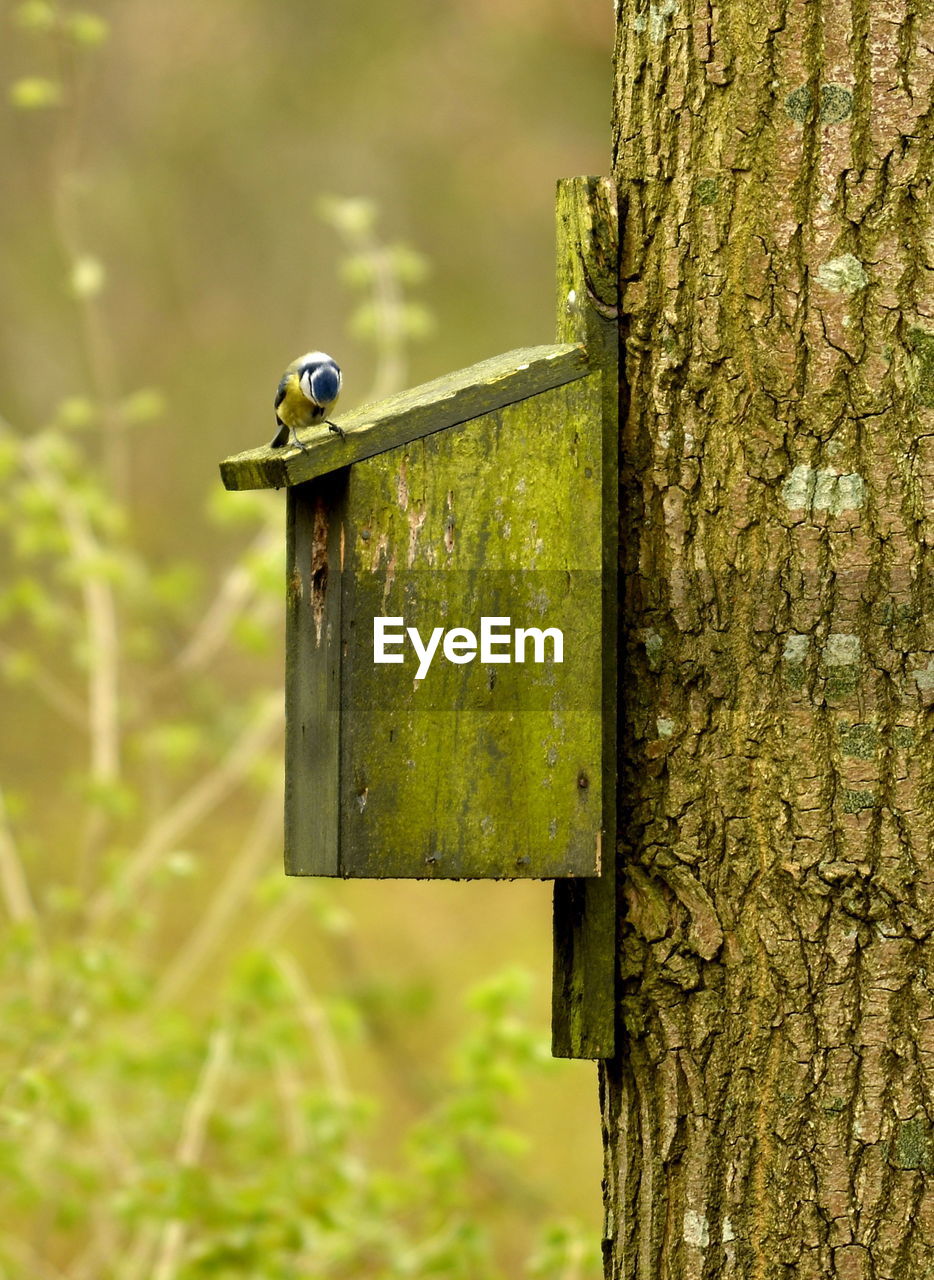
{"x":221,"y":1149}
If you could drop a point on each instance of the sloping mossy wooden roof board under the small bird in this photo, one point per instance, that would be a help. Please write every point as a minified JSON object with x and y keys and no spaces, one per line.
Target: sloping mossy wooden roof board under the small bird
{"x":413,"y":414}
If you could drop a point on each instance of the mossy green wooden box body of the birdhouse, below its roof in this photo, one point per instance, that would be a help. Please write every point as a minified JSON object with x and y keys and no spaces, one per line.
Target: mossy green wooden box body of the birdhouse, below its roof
{"x":445,"y":661}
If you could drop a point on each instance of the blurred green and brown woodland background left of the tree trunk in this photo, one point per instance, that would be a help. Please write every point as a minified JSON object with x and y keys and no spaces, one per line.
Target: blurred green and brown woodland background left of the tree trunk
{"x":209,"y":1069}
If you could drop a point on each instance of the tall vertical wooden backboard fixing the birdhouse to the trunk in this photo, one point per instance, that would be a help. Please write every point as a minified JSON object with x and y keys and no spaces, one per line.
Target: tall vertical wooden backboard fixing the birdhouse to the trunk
{"x":585,"y":912}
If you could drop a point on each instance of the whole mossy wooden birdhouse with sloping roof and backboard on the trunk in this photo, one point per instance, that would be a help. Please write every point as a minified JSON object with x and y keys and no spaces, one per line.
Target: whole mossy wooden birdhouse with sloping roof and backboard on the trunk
{"x":451,"y":609}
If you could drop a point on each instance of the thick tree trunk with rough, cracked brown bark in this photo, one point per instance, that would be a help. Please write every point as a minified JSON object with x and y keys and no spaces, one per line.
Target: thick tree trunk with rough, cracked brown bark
{"x":771,"y":1112}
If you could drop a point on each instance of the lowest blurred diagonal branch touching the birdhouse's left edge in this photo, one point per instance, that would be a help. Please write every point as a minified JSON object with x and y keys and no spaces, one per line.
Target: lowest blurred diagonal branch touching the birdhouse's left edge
{"x":205,"y":939}
